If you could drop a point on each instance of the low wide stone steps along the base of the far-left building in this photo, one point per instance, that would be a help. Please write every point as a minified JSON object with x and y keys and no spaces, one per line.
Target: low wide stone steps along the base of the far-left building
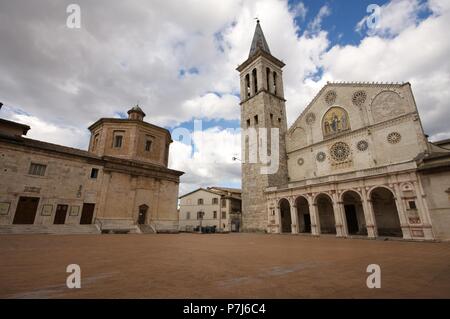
{"x":50,"y":229}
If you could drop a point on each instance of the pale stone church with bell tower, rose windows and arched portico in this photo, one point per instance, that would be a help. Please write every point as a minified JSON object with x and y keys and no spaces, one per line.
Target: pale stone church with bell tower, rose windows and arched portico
{"x":356,"y":162}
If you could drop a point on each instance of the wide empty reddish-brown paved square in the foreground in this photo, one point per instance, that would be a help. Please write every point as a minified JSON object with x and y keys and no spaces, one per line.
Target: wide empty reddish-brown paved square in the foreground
{"x":220,"y":266}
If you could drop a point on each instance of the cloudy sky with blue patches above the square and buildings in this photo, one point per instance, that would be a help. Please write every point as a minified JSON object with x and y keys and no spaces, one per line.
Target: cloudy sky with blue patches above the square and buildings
{"x":177,"y":59}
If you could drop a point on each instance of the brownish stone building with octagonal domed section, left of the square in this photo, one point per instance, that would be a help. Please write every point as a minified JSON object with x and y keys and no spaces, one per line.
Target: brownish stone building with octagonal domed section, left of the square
{"x":120,"y":184}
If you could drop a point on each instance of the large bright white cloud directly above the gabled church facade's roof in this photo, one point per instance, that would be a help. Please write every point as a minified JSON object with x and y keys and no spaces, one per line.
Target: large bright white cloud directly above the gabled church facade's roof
{"x":418,"y":54}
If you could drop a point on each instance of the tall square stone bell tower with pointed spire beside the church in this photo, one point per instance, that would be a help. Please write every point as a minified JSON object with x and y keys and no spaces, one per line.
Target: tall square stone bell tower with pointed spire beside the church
{"x":263,"y":112}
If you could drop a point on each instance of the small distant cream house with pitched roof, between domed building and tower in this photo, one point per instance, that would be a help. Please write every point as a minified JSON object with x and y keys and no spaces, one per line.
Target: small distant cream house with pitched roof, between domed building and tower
{"x":212,"y":206}
